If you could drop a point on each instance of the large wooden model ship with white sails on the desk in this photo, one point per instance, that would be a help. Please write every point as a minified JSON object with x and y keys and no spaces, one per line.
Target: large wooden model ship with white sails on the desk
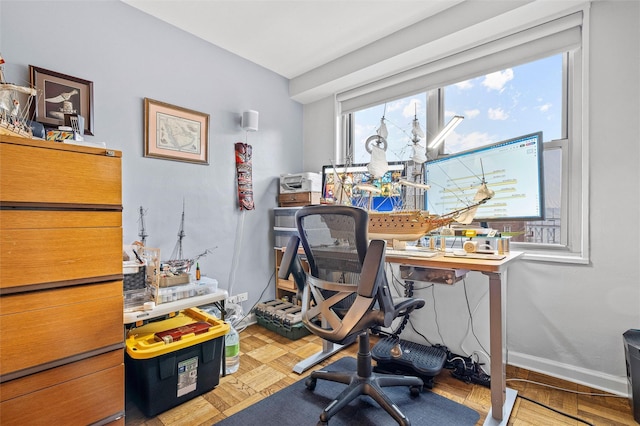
{"x":404,"y":223}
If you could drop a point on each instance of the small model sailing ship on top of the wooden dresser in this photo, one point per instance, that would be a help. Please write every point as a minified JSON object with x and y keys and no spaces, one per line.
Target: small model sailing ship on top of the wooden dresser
{"x":13,"y":115}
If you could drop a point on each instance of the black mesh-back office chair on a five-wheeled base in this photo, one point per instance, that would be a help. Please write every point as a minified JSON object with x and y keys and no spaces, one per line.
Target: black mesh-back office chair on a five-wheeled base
{"x":344,"y":295}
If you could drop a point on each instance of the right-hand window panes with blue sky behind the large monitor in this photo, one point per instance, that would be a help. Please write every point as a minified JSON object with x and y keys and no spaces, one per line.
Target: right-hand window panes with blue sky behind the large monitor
{"x":508,"y":103}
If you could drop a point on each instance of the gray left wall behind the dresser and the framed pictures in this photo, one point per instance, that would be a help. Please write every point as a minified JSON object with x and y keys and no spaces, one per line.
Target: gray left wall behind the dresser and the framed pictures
{"x":129,"y":56}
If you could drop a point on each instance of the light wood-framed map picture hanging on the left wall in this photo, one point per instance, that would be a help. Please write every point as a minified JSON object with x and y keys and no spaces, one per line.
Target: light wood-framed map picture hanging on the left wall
{"x":175,"y":133}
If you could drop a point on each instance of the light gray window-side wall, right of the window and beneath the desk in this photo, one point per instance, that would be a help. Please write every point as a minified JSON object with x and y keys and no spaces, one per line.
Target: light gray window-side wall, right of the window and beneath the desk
{"x":562,"y":319}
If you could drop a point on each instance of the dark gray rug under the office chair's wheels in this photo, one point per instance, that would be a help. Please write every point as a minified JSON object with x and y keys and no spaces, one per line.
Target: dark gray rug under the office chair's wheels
{"x":298,"y":406}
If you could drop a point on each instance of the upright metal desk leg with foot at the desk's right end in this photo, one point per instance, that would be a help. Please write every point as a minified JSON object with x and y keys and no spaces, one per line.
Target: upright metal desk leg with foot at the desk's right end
{"x":502,"y":399}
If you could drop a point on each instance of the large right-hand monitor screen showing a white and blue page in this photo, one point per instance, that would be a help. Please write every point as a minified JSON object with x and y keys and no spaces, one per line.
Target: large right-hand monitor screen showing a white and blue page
{"x":512,"y":168}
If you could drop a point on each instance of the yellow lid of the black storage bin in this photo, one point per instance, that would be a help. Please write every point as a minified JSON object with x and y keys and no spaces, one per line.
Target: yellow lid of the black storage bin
{"x":141,"y":342}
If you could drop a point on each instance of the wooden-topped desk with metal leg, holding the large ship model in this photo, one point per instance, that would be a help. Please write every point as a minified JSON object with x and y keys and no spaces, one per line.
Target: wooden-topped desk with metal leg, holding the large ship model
{"x":502,"y":399}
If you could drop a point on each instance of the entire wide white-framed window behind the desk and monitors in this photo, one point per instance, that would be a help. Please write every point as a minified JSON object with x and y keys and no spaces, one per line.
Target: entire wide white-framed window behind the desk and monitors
{"x":543,"y":93}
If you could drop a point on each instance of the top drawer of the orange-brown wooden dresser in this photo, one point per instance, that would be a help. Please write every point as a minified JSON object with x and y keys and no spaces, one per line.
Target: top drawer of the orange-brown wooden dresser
{"x":45,"y":174}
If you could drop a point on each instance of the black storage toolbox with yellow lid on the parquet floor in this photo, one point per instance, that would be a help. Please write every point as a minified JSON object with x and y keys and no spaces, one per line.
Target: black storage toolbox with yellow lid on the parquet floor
{"x":172,"y":361}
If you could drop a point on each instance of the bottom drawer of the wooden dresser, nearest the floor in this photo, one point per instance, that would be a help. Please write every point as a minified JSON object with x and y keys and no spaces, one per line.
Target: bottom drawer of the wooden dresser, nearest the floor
{"x":83,"y":392}
